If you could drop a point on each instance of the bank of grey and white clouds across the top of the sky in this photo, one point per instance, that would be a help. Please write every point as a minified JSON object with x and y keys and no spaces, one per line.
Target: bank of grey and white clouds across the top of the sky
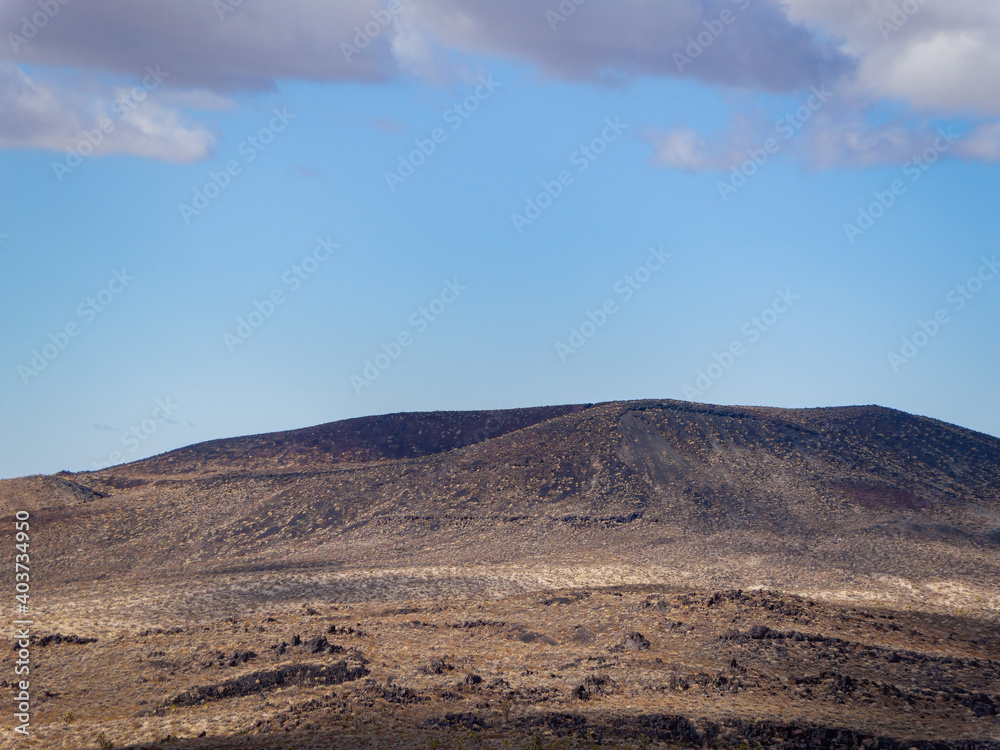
{"x":927,"y":59}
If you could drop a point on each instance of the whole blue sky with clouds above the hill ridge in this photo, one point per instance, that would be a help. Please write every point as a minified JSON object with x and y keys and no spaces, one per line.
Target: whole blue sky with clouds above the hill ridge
{"x":227,"y":218}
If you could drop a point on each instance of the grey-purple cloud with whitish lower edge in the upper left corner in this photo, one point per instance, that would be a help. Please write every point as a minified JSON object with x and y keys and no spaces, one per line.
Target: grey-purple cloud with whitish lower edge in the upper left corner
{"x":207,"y":59}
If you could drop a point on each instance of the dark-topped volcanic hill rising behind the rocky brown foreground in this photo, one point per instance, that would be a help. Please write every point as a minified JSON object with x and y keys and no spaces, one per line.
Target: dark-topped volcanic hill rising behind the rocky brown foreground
{"x":859,"y":491}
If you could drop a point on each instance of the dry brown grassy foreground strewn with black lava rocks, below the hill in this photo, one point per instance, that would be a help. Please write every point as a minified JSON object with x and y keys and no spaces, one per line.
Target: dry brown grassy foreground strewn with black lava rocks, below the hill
{"x":532,"y":649}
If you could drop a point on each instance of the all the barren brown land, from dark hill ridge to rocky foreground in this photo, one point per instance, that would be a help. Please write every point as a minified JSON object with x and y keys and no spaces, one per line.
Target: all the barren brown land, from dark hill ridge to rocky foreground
{"x":570,"y":528}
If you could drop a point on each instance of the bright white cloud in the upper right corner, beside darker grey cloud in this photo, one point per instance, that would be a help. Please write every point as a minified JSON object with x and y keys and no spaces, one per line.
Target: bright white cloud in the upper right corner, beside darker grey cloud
{"x":927,"y":60}
